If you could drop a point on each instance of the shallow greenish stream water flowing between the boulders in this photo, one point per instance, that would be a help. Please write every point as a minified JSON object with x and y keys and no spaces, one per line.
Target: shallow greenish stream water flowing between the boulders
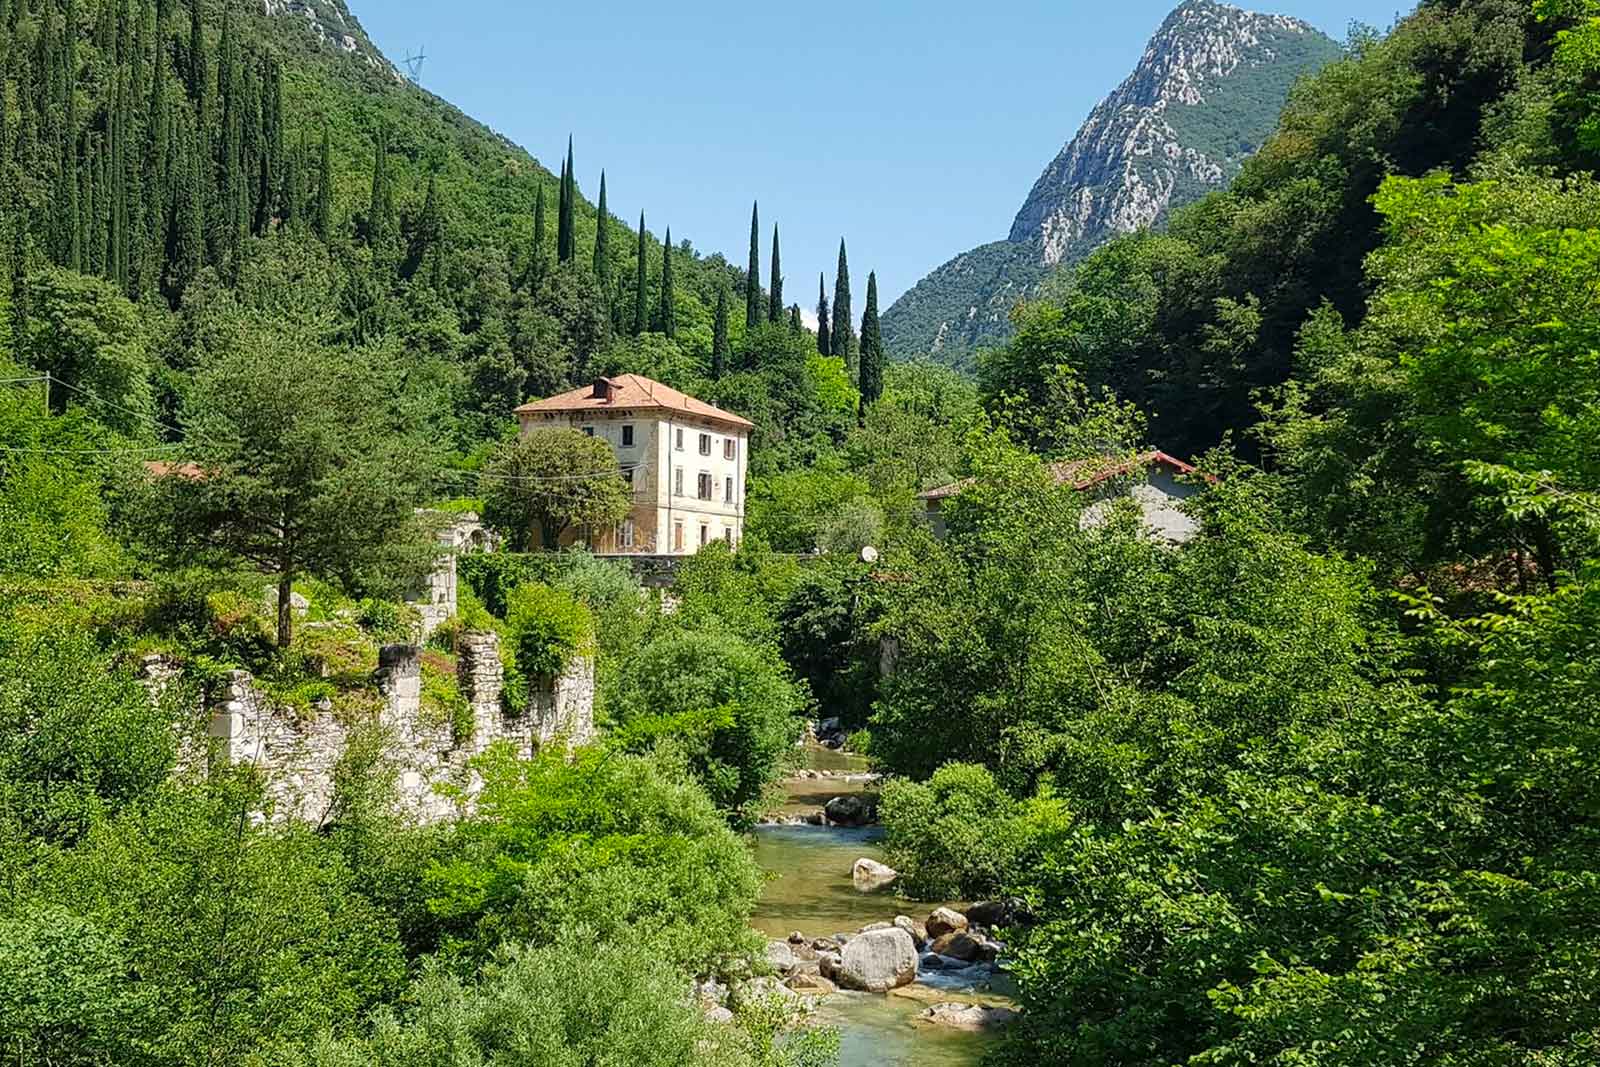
{"x":810,"y":892}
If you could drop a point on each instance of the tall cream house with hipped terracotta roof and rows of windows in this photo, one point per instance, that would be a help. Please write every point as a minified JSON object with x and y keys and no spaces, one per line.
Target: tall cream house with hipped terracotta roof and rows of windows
{"x":686,"y":460}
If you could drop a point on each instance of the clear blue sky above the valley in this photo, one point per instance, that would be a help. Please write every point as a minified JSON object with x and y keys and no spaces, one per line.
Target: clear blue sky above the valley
{"x":914,"y":129}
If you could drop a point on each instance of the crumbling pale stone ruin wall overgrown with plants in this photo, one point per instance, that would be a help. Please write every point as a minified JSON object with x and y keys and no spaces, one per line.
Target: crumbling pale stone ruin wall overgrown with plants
{"x":300,"y":753}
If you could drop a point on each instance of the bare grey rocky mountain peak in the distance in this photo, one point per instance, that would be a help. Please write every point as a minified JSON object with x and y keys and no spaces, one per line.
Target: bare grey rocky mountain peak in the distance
{"x":1204,"y":97}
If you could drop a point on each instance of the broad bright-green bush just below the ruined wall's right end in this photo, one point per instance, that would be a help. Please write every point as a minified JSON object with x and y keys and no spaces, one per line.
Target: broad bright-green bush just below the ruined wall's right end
{"x":626,"y":847}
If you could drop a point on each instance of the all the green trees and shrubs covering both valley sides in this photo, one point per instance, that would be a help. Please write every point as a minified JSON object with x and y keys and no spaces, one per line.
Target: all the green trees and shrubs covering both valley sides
{"x":1316,"y":789}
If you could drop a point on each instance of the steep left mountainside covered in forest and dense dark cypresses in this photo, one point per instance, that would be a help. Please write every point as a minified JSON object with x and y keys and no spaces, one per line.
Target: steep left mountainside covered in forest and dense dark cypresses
{"x":167,"y":146}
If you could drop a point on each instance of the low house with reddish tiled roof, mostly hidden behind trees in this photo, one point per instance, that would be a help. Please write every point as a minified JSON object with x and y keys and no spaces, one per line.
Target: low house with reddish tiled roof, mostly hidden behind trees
{"x":1153,"y":479}
